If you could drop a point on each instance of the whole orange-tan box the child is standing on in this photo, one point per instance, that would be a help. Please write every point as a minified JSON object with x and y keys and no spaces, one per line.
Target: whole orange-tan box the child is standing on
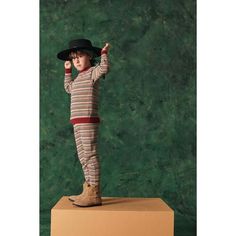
{"x":116,"y":217}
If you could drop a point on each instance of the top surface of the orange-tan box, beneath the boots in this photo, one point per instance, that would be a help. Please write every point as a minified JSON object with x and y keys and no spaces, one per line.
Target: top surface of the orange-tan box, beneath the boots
{"x":117,"y":204}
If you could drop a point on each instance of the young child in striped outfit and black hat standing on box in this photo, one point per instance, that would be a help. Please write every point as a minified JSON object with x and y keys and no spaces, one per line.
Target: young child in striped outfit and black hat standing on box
{"x":84,"y":112}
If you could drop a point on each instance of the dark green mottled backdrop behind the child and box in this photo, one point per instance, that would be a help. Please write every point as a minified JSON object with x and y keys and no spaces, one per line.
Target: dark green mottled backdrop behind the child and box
{"x":147,"y":139}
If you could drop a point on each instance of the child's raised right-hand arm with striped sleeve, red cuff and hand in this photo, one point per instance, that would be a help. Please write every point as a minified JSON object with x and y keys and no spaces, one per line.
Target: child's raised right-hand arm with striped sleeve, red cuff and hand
{"x":103,"y":68}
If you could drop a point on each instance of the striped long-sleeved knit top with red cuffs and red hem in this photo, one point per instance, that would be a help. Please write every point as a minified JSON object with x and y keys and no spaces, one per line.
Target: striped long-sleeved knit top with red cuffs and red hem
{"x":84,"y":90}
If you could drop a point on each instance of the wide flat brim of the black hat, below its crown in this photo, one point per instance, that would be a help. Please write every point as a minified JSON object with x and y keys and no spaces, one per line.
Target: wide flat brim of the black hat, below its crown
{"x":64,"y":55}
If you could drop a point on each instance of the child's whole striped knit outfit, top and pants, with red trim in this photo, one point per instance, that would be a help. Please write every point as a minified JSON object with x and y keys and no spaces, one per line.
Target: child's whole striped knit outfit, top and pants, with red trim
{"x":84,"y":90}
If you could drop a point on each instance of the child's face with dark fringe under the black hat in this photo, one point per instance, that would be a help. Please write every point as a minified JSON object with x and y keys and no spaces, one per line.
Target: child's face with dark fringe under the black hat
{"x":80,"y":60}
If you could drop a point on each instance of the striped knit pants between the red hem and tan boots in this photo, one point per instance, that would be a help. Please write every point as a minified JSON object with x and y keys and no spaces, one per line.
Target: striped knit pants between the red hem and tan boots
{"x":86,"y":144}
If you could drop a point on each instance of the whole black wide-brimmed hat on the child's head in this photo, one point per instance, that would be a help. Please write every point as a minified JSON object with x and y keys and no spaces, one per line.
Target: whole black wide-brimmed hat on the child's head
{"x":79,"y":44}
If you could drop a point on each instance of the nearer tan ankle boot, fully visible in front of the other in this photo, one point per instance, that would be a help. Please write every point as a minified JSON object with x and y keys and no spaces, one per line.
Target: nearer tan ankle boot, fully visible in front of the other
{"x":92,"y":197}
